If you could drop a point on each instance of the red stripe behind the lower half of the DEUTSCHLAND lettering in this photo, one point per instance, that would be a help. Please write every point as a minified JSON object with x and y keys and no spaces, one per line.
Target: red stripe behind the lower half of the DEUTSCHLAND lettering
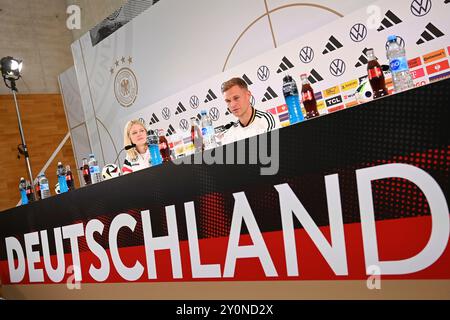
{"x":398,"y":239}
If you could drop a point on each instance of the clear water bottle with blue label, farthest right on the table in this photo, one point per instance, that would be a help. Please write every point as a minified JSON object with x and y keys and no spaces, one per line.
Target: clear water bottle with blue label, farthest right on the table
{"x":401,"y":77}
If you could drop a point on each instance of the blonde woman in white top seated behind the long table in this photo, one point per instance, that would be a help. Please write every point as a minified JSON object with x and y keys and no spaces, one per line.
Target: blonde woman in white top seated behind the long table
{"x":137,"y":158}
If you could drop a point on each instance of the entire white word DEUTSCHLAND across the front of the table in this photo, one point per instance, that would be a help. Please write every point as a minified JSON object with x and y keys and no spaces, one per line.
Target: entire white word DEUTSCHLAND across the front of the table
{"x":20,"y":258}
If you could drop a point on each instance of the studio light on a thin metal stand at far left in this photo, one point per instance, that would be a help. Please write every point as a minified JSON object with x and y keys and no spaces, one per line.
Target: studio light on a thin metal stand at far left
{"x":10,"y":69}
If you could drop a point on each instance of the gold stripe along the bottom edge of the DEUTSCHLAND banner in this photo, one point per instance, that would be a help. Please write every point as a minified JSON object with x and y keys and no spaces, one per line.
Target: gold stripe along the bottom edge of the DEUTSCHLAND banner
{"x":239,"y":290}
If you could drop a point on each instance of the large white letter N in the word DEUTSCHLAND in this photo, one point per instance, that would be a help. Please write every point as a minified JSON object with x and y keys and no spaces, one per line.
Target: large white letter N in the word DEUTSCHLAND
{"x":334,"y":254}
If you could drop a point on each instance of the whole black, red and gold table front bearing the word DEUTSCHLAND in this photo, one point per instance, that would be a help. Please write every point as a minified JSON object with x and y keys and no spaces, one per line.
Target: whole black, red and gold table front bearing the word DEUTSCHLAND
{"x":321,"y":209}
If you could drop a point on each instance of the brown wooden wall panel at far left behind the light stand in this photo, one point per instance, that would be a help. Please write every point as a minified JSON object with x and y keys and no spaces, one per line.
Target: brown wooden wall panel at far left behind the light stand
{"x":45,"y":126}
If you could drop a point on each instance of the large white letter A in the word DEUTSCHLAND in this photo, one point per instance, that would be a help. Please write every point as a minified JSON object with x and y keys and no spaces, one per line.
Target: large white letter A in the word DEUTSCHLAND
{"x":243,"y":212}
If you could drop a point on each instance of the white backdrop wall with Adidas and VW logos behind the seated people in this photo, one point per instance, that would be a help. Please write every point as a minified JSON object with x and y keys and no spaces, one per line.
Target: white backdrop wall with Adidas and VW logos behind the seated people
{"x":177,"y":53}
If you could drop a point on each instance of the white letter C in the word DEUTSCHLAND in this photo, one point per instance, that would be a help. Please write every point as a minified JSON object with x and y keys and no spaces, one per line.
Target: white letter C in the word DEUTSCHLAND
{"x":120,"y":221}
